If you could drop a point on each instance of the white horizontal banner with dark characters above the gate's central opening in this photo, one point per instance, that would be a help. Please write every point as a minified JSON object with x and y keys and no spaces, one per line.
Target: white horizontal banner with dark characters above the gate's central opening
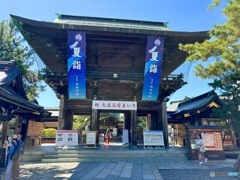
{"x":115,"y":105}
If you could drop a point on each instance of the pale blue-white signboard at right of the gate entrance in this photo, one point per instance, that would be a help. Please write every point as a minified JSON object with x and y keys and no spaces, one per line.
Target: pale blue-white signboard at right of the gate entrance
{"x":153,"y":138}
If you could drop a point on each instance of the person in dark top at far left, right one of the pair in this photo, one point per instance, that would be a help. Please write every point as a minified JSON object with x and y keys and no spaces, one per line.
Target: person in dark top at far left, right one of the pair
{"x":16,"y":161}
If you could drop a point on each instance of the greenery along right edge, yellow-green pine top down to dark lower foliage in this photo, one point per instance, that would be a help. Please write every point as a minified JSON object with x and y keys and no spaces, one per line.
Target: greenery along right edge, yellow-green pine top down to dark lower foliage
{"x":219,"y":59}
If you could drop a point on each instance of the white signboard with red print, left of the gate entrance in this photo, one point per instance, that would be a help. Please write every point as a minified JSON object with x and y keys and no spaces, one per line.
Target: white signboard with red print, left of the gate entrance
{"x":67,"y":138}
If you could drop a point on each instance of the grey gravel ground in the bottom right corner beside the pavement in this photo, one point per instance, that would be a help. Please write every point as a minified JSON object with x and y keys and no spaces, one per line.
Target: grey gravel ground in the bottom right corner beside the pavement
{"x":195,"y":174}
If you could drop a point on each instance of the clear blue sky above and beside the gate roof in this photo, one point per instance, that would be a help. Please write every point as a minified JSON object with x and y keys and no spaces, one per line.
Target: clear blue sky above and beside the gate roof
{"x":185,"y":15}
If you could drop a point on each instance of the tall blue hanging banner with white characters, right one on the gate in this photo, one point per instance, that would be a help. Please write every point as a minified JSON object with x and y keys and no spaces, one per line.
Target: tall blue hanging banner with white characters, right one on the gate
{"x":153,"y":68}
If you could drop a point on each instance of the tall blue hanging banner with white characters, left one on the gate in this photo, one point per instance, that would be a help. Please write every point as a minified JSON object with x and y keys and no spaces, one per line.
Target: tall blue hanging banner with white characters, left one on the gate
{"x":77,"y":65}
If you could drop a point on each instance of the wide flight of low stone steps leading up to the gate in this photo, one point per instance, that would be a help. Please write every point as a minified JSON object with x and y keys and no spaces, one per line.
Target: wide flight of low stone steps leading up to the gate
{"x":103,"y":153}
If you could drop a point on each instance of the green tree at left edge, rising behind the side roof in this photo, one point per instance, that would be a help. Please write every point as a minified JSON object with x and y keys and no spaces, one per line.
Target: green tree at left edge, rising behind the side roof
{"x":13,"y":47}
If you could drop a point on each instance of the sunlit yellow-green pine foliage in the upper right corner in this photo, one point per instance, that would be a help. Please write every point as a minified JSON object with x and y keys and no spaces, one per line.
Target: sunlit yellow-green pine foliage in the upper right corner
{"x":222,"y":50}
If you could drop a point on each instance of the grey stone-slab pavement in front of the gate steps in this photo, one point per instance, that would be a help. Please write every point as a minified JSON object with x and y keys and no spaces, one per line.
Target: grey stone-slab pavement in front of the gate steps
{"x":115,"y":170}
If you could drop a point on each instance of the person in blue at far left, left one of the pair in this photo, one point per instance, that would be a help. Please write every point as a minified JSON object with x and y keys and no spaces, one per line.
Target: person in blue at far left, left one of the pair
{"x":11,"y":149}
